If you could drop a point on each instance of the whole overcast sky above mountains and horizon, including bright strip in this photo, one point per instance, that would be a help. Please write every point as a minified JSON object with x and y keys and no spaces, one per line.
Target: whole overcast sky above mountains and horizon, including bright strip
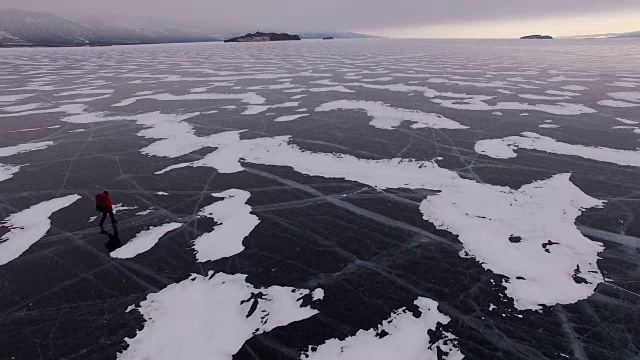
{"x":407,"y":18}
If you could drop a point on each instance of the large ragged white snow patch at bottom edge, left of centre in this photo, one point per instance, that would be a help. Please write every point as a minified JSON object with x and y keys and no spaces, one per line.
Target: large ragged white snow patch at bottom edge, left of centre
{"x":211,"y":317}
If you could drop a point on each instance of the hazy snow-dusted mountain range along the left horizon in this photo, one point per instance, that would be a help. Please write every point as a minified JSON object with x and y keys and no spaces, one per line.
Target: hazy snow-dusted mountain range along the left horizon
{"x":30,"y":28}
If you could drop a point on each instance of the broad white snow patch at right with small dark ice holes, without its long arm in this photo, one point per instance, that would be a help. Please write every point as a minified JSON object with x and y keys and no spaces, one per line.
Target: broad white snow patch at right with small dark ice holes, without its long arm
{"x":527,"y":235}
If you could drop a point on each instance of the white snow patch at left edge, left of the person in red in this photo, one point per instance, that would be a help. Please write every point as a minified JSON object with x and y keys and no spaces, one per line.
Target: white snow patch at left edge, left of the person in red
{"x":28,"y":226}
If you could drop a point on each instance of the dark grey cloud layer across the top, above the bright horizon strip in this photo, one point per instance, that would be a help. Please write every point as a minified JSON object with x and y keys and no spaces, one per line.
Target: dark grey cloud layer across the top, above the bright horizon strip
{"x":330,"y":14}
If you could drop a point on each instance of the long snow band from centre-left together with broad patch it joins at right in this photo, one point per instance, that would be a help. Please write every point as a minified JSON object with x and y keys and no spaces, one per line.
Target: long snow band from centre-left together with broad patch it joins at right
{"x":538,"y":212}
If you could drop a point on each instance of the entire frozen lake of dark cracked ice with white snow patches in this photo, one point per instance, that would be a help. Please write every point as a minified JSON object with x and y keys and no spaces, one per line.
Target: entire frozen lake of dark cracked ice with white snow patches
{"x":383,"y":199}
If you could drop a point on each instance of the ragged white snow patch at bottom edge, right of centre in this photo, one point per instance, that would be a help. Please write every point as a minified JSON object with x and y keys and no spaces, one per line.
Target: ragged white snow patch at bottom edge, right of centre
{"x":406,"y":337}
